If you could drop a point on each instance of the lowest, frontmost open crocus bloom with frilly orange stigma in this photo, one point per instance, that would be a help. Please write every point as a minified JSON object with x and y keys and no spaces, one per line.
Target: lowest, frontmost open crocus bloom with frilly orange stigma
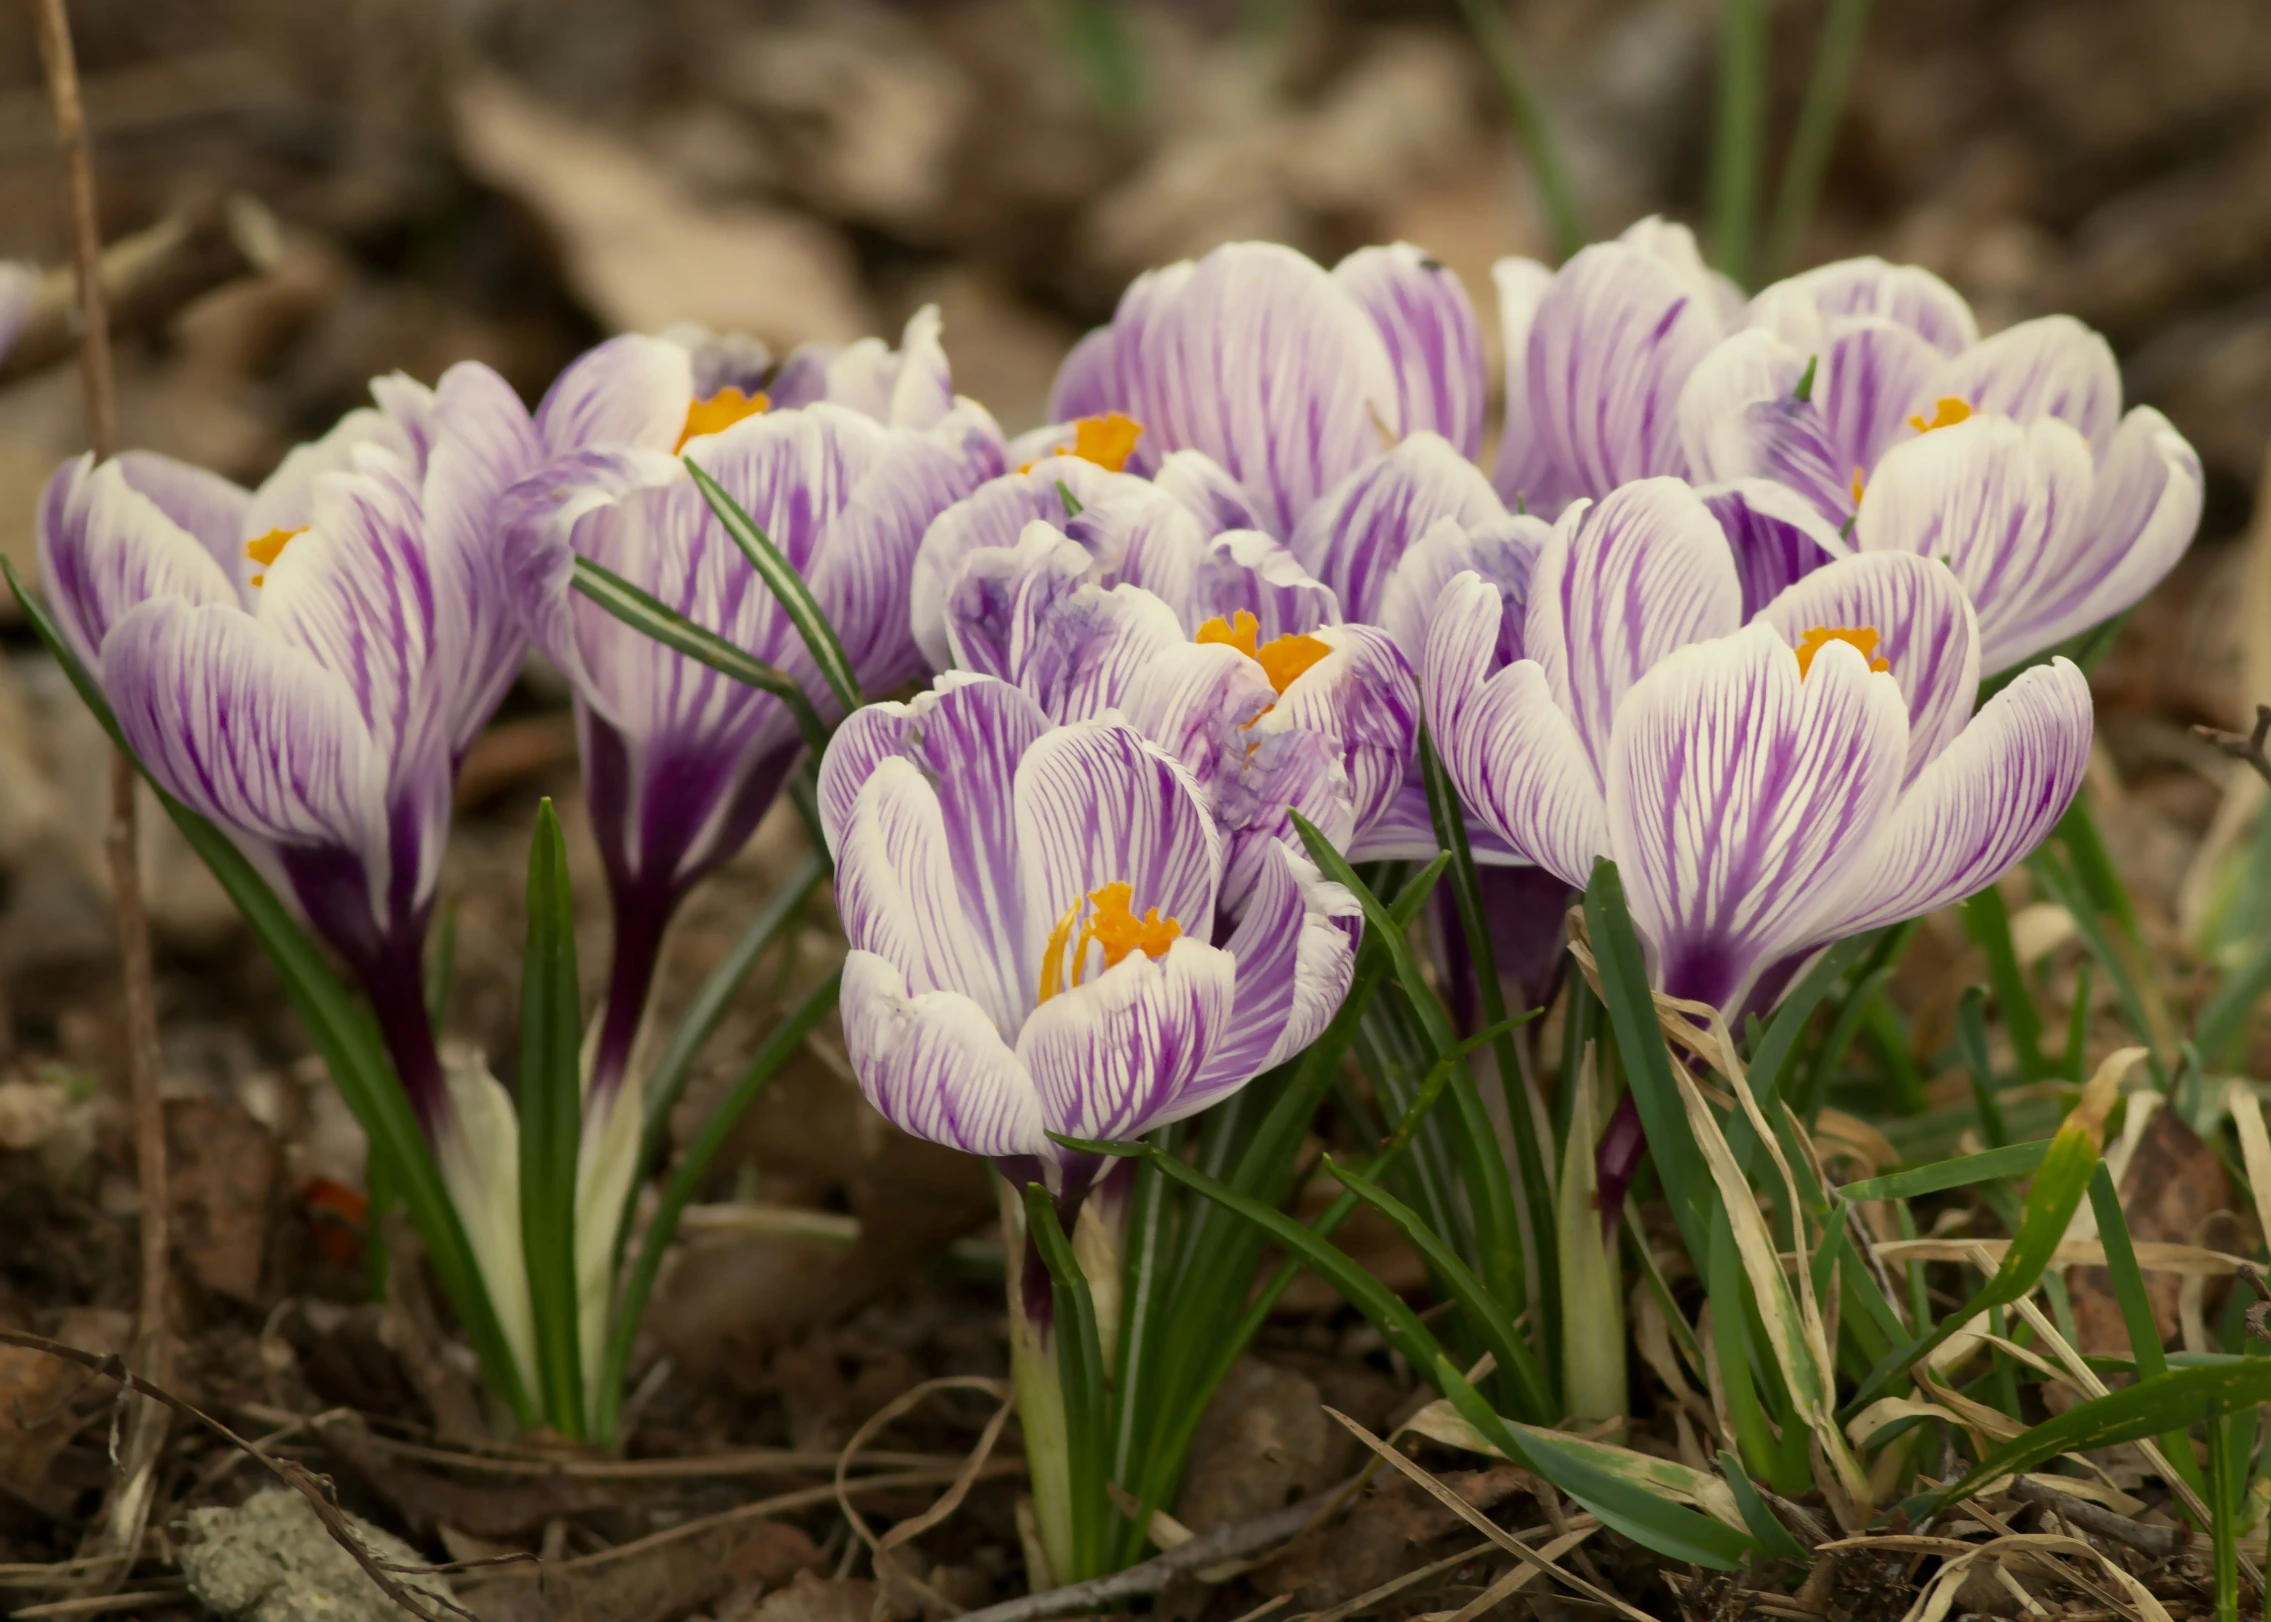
{"x":1034,"y":933}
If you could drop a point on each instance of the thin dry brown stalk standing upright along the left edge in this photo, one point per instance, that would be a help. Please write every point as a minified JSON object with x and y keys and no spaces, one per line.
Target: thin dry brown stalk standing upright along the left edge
{"x":117,"y":1537}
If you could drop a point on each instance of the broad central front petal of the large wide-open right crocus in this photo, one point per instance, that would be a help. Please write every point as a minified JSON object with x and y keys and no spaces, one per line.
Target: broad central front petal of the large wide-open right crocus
{"x":1741,"y":801}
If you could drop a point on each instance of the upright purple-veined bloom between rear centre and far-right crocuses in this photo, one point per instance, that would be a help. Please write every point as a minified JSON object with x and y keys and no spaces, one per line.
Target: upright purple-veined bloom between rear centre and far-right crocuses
{"x":1598,"y":356}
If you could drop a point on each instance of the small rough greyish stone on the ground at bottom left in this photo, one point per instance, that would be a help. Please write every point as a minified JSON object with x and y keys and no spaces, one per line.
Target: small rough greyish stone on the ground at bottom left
{"x":271,"y":1562}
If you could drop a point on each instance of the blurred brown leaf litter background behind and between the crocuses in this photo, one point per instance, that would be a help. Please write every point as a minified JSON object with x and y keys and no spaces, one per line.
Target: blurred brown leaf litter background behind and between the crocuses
{"x":412,"y":183}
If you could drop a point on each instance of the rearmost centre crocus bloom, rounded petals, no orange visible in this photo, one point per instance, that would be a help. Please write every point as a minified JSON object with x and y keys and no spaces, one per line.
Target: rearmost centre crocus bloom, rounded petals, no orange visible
{"x":1284,"y":376}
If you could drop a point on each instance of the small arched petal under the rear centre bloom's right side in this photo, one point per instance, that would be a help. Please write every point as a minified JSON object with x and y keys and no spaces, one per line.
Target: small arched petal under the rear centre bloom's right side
{"x":1355,"y":537}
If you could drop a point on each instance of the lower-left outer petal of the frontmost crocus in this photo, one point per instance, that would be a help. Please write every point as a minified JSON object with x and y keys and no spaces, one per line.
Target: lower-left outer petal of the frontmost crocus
{"x":935,"y":1064}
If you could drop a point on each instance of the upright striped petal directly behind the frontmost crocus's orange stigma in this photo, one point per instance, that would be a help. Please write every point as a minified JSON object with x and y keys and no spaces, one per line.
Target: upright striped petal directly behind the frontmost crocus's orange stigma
{"x":1100,"y":805}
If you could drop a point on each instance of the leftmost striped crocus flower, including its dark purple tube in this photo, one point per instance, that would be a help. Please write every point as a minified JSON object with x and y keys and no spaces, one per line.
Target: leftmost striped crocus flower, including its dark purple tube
{"x":308,"y":664}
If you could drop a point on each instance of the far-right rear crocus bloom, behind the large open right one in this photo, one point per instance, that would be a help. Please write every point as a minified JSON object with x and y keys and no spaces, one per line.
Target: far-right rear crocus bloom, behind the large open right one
{"x":1868,"y":392}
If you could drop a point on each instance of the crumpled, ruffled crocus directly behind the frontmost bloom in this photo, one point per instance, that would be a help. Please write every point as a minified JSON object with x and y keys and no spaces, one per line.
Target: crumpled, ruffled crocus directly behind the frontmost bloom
{"x":1271,"y":708}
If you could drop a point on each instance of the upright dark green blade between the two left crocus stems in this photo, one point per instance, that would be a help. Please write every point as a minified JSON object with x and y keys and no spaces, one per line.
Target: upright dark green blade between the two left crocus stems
{"x":551,"y":1126}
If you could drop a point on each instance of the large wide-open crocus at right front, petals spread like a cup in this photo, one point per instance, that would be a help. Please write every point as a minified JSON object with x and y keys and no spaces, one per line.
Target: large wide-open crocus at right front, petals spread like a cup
{"x":1766,"y":789}
